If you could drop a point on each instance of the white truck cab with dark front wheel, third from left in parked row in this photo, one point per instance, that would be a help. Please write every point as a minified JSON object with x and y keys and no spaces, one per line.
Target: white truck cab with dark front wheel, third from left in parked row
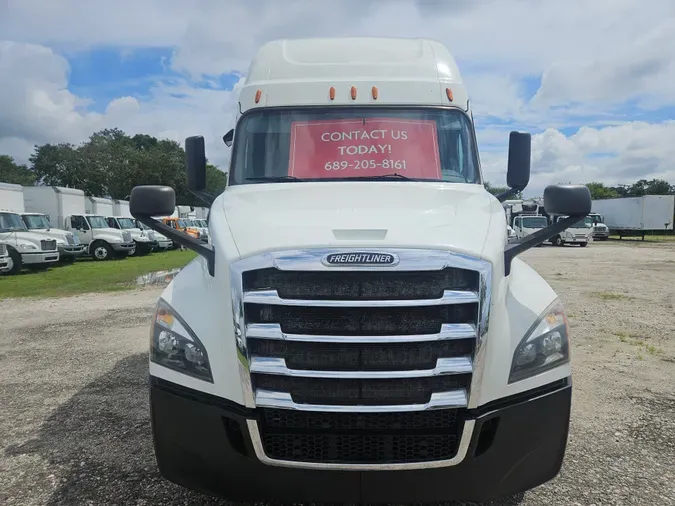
{"x":102,"y":241}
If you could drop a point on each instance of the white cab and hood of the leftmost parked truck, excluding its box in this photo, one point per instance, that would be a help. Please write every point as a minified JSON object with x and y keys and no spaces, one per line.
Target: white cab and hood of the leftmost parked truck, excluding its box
{"x":25,"y":248}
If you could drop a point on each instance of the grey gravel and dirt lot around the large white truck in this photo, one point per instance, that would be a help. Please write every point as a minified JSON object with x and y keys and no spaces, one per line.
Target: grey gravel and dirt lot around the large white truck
{"x":74,"y":425}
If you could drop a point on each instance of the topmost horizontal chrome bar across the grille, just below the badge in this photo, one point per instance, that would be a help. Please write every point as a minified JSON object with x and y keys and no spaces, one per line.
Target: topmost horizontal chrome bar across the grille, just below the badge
{"x":272,"y":297}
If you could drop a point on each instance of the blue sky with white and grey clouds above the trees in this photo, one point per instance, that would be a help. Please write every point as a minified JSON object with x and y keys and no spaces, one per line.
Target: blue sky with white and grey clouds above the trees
{"x":591,"y":80}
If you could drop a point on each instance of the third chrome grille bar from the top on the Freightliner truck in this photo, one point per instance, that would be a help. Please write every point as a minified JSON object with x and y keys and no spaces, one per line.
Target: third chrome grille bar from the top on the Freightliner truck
{"x":444,"y":366}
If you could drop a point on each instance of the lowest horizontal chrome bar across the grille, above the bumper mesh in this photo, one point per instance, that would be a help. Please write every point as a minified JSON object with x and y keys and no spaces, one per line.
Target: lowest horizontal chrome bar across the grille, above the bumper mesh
{"x":442,"y":400}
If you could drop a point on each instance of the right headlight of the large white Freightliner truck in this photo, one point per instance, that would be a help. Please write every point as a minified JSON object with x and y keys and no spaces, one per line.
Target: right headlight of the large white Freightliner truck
{"x":545,"y":345}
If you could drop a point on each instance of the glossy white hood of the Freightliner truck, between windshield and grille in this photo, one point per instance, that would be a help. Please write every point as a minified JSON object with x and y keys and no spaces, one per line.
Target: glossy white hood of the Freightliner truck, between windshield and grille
{"x":359,"y":214}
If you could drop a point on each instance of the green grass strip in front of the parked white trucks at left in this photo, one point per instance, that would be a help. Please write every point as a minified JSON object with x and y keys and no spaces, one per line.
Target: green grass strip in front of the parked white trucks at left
{"x":87,"y":275}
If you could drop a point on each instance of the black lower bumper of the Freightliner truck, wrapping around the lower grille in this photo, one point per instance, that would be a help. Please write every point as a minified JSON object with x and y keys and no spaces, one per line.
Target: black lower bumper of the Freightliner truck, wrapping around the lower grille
{"x":202,"y":443}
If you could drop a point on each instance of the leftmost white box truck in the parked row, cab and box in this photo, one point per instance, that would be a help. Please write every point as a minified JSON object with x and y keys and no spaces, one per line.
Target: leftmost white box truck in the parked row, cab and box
{"x":25,"y":248}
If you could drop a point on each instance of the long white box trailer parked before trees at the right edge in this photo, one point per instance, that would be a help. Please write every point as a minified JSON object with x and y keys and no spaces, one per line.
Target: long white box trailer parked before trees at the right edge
{"x":637,"y":215}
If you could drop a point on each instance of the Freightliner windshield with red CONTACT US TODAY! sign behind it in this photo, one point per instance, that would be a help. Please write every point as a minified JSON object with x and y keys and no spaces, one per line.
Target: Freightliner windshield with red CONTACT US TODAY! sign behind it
{"x":345,"y":144}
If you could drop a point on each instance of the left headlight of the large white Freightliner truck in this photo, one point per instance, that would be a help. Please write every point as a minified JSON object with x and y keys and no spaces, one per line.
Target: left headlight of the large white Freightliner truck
{"x":175,"y":346}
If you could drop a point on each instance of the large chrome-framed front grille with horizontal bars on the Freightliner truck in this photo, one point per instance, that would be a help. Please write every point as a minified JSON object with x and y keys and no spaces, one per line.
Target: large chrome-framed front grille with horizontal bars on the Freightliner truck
{"x":347,"y":342}
